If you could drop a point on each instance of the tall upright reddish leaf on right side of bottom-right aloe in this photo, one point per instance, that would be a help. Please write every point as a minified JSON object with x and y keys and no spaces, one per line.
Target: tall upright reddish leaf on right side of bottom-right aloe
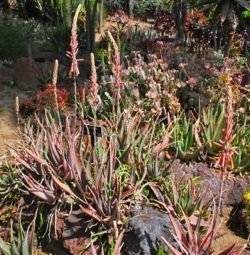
{"x":208,"y":238}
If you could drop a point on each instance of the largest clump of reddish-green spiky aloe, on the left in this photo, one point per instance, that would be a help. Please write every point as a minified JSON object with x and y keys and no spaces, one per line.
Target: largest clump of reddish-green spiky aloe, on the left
{"x":59,"y":164}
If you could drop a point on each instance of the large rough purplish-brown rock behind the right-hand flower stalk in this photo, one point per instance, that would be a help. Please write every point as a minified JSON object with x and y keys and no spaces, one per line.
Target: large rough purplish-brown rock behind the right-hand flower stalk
{"x":210,"y":182}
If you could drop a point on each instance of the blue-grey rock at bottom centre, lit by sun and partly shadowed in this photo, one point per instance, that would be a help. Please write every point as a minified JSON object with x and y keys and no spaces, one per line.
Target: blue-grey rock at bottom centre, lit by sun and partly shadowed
{"x":144,"y":232}
